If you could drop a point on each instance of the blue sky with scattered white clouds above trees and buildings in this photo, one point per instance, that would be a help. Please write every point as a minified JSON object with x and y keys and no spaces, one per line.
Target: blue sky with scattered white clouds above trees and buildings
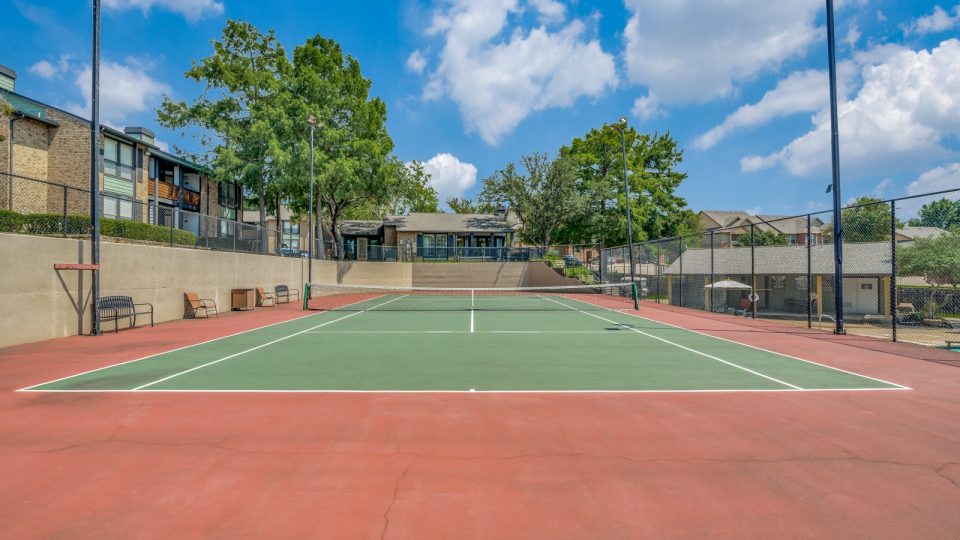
{"x":472,"y":85}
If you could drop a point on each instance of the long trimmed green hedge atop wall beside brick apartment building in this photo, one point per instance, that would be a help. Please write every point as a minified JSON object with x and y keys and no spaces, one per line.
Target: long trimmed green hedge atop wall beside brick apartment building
{"x":47,"y":224}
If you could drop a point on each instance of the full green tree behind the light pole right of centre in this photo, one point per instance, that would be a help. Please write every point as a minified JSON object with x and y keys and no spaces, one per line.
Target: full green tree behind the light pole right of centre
{"x":652,"y":161}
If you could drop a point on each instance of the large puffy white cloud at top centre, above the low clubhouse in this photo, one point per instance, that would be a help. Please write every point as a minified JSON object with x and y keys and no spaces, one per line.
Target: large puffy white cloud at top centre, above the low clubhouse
{"x":498,"y":72}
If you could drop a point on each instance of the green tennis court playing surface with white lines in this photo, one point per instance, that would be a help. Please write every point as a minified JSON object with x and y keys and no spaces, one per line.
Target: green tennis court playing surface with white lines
{"x":388,"y":343}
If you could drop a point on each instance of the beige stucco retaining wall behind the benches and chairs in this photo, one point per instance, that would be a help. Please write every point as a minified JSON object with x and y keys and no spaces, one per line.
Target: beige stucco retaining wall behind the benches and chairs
{"x":38,"y":305}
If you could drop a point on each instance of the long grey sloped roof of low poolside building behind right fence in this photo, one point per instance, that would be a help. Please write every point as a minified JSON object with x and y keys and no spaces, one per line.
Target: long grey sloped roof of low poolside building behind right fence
{"x":869,"y":258}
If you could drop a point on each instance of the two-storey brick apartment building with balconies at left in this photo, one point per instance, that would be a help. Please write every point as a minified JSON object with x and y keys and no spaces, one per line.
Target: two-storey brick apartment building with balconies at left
{"x":45,"y":164}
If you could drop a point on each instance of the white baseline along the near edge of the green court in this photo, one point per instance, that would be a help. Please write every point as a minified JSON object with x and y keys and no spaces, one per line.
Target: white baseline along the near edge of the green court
{"x":338,"y":391}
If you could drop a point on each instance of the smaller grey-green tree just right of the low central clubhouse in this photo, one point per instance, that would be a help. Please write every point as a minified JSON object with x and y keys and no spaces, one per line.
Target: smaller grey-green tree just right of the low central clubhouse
{"x":543,"y":199}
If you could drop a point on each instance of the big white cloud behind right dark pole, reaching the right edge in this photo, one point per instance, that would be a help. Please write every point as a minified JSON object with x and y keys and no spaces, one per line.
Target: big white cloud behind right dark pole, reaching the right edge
{"x":908,"y":104}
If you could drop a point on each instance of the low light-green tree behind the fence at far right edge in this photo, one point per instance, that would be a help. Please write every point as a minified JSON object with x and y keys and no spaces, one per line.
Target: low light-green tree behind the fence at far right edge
{"x":936,"y":260}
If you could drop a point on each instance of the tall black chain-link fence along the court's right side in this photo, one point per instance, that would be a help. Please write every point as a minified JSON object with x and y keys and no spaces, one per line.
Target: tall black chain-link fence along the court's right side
{"x":900,"y":264}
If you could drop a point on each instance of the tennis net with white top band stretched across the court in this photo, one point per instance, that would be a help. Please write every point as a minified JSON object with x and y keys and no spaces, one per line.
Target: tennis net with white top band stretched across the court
{"x":329,"y":297}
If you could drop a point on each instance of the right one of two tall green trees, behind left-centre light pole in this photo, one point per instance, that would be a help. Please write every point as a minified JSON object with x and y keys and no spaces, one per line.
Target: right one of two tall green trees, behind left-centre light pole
{"x":354,"y":168}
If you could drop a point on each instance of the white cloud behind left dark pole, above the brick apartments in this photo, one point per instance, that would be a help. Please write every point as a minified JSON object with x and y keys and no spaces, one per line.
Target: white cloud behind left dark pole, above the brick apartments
{"x":125,"y":89}
